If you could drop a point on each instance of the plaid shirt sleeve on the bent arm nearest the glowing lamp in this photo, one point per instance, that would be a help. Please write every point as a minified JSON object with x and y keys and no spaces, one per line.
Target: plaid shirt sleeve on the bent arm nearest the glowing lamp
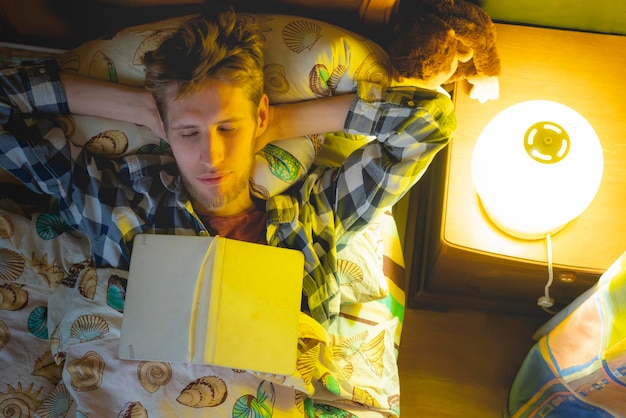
{"x":411,"y":125}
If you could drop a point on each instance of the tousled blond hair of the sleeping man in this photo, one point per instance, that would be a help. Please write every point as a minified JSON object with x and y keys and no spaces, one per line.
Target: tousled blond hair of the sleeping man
{"x":207,"y":46}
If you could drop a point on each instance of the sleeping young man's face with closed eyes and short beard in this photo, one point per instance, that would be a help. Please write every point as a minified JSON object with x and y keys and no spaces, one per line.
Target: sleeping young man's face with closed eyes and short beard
{"x":212,"y":134}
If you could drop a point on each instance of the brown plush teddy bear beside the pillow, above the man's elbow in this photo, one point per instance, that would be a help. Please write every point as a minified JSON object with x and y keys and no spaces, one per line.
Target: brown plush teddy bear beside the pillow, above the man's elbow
{"x":443,"y":41}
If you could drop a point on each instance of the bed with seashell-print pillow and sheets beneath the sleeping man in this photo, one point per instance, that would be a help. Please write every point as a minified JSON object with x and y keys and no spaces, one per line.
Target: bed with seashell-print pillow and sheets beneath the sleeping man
{"x":60,"y":316}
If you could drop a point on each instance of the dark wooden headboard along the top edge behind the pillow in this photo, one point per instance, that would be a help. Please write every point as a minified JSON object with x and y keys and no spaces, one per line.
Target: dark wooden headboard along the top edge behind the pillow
{"x":66,"y":24}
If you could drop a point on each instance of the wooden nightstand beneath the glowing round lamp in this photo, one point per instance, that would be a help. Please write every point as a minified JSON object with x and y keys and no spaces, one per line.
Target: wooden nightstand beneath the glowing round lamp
{"x":455,"y":255}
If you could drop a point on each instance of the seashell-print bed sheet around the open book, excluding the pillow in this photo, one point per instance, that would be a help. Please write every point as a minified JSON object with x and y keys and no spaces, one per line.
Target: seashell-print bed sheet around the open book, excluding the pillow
{"x":60,"y":321}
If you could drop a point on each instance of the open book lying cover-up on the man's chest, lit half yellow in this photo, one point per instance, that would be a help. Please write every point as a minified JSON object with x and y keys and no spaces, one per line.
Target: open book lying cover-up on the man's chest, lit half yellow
{"x":212,"y":300}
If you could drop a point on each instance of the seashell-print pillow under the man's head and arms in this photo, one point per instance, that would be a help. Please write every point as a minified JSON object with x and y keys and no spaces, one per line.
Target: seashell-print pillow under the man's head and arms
{"x":304,"y":59}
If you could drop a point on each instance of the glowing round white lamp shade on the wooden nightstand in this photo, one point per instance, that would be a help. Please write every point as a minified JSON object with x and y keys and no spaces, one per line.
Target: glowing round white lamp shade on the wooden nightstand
{"x":536,"y":166}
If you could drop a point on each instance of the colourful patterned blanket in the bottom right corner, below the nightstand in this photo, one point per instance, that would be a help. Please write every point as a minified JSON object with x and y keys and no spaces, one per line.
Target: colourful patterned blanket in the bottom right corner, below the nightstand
{"x":577,"y":368}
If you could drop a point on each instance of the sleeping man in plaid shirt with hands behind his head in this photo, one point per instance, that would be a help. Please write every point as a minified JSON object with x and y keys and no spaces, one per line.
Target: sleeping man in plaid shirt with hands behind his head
{"x":205,"y":83}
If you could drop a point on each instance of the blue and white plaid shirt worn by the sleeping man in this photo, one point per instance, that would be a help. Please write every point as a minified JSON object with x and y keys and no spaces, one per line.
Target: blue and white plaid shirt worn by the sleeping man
{"x":112,"y":200}
